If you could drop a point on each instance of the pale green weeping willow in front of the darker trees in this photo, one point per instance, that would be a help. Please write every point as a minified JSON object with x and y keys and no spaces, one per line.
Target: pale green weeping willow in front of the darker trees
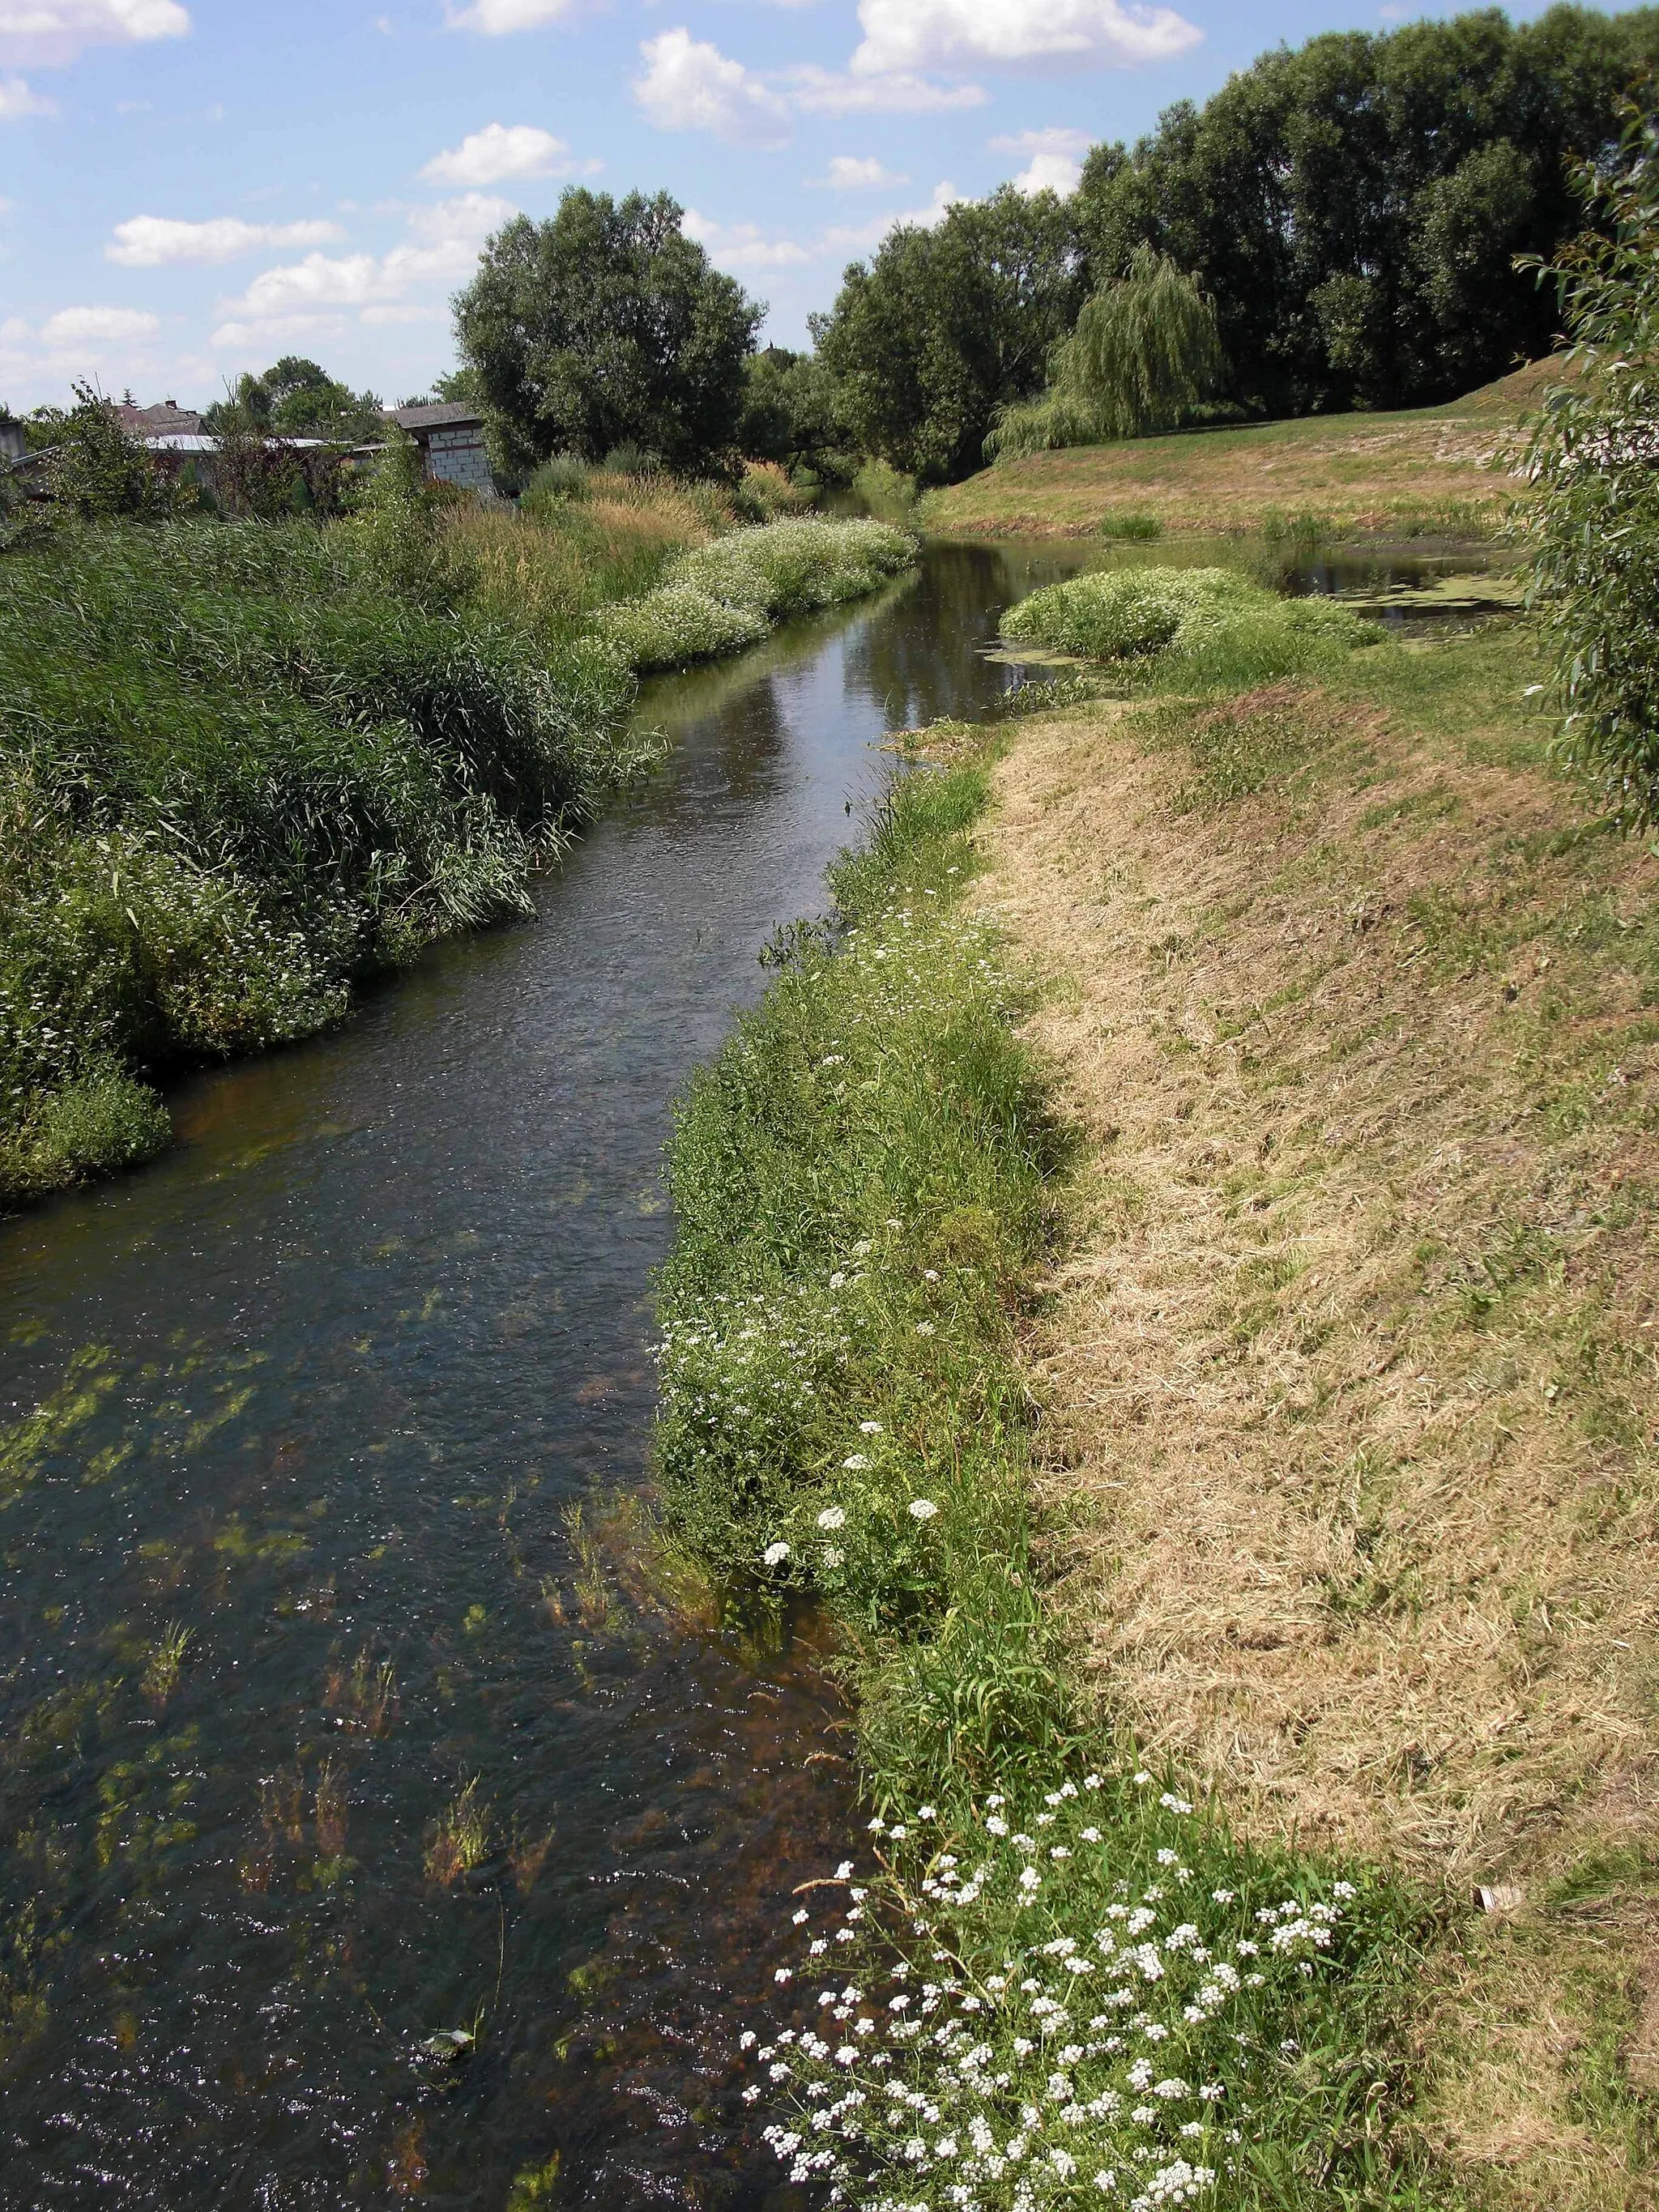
{"x":1142,"y":355}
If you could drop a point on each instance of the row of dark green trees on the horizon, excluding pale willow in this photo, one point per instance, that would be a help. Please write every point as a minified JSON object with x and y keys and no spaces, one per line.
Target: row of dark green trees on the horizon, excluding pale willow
{"x":1350,"y":213}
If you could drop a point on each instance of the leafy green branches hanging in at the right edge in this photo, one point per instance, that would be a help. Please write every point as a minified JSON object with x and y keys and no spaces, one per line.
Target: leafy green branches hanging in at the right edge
{"x":1594,"y":519}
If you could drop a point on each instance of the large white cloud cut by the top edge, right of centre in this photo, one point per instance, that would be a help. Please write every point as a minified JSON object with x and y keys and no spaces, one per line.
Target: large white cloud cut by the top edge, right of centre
{"x":1014,"y":34}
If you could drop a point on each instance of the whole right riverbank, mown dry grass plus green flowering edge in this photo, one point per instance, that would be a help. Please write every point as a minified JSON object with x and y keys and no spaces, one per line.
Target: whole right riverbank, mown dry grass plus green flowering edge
{"x":1304,"y":1368}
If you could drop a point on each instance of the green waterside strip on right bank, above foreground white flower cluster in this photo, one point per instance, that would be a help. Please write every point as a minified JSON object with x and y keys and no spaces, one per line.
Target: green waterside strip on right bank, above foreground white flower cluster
{"x":859,"y":1193}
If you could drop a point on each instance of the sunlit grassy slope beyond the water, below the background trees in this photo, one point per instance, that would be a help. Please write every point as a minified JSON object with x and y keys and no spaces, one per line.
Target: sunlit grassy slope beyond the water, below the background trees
{"x":1368,"y":472}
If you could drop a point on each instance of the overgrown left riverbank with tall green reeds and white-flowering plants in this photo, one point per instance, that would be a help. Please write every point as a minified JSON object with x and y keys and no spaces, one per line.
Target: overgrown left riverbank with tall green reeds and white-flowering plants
{"x":244,"y":766}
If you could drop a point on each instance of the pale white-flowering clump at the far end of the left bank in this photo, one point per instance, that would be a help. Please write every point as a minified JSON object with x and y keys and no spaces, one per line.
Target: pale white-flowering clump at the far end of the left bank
{"x":729,"y":594}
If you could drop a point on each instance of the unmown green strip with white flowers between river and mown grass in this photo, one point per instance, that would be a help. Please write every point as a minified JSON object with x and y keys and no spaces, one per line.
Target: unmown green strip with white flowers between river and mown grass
{"x":870,"y":1187}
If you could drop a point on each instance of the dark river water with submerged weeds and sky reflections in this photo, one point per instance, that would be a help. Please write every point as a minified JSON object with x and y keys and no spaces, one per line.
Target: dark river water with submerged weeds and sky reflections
{"x":375,"y":1826}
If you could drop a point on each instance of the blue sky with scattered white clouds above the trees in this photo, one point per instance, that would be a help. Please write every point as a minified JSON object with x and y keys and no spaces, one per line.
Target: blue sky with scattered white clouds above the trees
{"x":191,"y":189}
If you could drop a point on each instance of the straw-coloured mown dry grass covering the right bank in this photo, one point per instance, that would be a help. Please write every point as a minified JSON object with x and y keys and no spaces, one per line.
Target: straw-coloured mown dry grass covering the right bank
{"x":1350,"y":1370}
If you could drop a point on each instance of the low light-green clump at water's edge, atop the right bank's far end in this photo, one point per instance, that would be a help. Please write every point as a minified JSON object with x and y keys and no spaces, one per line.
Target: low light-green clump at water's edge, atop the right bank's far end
{"x":1202,"y":627}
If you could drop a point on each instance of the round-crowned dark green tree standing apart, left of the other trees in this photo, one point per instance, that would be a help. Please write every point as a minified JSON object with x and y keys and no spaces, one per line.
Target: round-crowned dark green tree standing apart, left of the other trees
{"x":607,"y":326}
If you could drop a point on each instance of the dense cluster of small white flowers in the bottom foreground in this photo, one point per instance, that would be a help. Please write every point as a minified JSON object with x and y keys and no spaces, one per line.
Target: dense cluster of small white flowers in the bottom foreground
{"x":1041,"y":2032}
